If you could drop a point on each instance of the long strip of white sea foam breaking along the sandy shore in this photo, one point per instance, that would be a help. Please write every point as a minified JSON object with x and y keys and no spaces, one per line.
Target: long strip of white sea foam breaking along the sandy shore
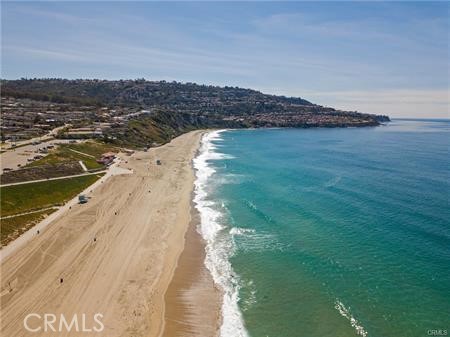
{"x":219,"y":246}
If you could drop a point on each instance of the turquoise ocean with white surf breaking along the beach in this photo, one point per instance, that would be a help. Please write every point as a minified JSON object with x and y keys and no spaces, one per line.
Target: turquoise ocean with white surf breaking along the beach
{"x":329,"y":232}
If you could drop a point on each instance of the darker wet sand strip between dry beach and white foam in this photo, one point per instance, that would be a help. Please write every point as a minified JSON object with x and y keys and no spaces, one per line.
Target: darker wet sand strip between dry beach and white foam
{"x":192,"y":300}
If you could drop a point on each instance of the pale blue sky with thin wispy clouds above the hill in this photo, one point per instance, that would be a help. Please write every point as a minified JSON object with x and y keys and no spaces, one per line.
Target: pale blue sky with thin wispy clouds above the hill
{"x":377,"y":57}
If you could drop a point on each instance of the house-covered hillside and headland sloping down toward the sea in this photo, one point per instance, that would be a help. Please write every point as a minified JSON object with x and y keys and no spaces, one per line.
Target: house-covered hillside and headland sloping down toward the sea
{"x":140,"y":112}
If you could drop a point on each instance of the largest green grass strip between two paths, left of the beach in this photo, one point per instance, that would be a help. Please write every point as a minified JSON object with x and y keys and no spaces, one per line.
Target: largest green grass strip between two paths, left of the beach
{"x":26,"y":197}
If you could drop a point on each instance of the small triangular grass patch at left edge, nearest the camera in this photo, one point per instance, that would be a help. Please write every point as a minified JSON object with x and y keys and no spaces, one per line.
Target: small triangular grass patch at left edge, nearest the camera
{"x":11,"y":228}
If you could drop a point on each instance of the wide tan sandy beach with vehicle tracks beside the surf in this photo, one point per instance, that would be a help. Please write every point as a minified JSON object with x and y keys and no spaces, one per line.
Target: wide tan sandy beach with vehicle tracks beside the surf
{"x":116,"y":256}
